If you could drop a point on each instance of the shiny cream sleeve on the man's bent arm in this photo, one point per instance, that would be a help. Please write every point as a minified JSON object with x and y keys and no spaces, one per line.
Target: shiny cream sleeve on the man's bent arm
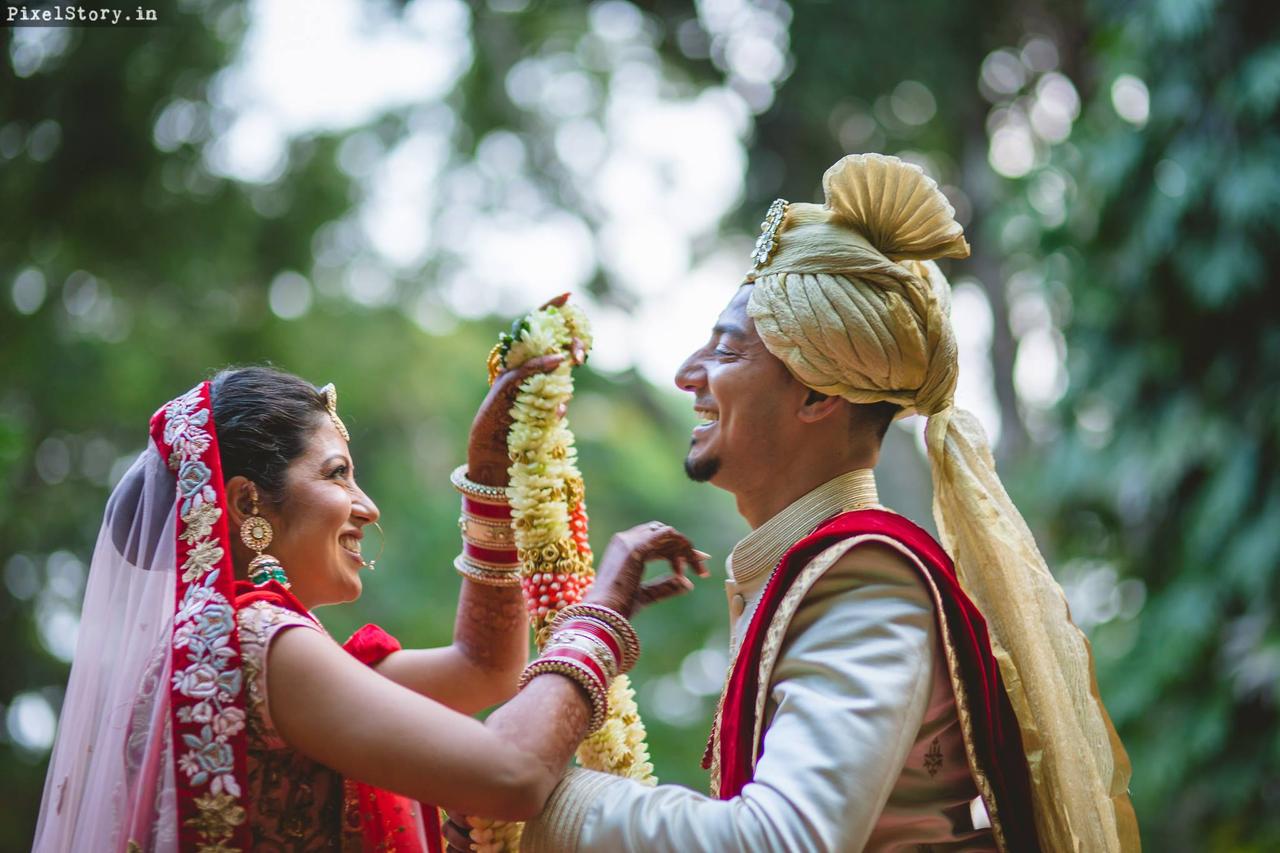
{"x":849,"y":694}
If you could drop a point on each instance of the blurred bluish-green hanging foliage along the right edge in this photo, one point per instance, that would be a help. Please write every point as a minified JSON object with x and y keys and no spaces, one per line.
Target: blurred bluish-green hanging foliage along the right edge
{"x":1165,"y":463}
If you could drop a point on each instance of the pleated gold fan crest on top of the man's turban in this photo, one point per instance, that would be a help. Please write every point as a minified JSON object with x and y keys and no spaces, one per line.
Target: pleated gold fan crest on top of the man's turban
{"x":897,"y":207}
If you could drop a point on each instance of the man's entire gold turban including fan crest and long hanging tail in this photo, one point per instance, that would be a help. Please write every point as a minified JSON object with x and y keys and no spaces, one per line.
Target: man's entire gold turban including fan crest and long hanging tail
{"x":852,"y":302}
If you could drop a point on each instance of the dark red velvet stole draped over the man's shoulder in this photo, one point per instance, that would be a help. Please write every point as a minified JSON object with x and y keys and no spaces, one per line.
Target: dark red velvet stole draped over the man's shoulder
{"x":995,"y":737}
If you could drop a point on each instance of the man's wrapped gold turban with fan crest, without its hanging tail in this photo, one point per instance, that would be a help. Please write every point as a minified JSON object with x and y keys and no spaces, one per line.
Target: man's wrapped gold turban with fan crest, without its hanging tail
{"x":851,"y":299}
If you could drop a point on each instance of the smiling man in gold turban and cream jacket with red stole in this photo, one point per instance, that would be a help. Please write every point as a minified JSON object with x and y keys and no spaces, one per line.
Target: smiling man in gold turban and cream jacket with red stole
{"x":865,"y":709}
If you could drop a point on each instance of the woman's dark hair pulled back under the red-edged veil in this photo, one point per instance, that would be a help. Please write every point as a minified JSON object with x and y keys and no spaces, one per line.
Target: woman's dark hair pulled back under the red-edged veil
{"x":264,"y":418}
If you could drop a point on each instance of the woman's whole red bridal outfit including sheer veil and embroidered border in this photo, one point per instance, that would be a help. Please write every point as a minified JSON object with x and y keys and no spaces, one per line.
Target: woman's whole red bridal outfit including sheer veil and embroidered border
{"x":166,"y":740}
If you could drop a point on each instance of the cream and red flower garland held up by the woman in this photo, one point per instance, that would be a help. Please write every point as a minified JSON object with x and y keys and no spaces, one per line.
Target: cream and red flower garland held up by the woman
{"x":548,"y":509}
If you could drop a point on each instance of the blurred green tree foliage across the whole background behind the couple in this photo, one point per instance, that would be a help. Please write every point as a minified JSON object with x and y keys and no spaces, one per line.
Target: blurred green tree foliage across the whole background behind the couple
{"x":1148,"y":232}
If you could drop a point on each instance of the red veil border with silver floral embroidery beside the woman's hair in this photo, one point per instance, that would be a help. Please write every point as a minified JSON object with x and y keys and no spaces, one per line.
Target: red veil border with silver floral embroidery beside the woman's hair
{"x":207,"y":692}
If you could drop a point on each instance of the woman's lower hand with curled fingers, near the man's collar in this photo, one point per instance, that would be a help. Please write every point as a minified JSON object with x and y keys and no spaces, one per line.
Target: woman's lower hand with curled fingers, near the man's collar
{"x":621,"y":572}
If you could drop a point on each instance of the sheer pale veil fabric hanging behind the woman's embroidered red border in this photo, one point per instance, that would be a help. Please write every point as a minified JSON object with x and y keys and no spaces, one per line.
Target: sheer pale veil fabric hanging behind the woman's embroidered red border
{"x":112,"y":776}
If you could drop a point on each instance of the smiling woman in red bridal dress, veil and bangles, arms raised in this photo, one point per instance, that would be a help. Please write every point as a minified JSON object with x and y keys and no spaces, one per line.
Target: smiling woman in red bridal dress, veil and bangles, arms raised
{"x":208,"y":710}
